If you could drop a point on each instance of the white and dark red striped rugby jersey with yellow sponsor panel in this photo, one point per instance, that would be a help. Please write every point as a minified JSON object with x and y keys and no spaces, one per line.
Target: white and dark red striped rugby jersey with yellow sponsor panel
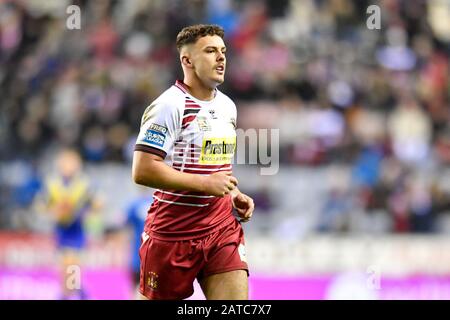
{"x":192,"y":136}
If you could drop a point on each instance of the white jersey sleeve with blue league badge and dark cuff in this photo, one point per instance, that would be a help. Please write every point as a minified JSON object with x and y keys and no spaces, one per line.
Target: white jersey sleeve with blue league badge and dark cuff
{"x":159,"y":127}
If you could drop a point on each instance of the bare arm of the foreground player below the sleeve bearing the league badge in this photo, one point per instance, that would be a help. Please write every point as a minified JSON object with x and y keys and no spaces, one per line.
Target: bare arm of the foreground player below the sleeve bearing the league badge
{"x":150,"y":170}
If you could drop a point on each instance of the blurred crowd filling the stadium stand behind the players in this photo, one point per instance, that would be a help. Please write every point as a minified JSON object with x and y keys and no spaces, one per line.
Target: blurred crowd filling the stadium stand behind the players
{"x":376,"y":101}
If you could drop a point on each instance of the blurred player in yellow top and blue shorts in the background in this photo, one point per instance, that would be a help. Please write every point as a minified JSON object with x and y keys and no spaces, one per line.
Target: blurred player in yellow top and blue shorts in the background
{"x":69,"y":198}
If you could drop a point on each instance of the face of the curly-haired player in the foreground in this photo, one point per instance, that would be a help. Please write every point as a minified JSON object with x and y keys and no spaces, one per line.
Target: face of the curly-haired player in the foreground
{"x":208,"y":59}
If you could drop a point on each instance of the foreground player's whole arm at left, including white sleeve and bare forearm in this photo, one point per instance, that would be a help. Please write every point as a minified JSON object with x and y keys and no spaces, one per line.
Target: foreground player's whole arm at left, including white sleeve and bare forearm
{"x":160,"y":125}
